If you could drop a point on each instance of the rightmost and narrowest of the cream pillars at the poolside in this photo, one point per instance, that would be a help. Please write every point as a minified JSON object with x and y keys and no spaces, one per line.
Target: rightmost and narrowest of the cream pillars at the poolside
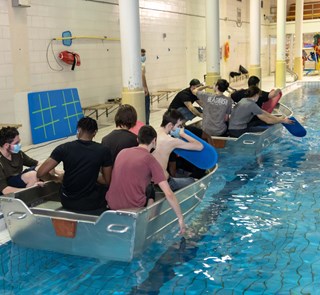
{"x":298,"y":64}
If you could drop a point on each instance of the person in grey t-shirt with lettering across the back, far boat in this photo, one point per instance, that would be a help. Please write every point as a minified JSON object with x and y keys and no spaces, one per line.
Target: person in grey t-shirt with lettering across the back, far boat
{"x":216,"y":108}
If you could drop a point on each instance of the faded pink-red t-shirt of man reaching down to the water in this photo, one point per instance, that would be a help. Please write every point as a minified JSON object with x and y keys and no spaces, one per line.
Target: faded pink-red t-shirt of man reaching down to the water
{"x":132,"y":172}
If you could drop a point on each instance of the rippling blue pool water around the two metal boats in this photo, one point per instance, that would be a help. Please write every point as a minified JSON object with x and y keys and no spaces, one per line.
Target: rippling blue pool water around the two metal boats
{"x":256,"y":232}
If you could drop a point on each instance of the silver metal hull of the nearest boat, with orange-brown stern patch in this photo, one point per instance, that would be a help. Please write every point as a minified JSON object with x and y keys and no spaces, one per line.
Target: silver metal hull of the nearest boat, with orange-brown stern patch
{"x":35,"y":219}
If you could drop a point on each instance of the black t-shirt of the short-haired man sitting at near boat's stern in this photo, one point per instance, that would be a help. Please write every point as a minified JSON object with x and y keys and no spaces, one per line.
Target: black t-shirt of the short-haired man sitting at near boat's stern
{"x":82,"y":161}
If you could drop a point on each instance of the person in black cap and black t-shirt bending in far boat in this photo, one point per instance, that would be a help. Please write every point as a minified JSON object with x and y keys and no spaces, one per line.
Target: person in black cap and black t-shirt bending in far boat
{"x":183,"y":101}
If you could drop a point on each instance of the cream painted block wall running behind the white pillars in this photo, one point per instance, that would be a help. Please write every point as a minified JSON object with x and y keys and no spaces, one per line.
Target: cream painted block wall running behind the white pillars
{"x":172,"y":31}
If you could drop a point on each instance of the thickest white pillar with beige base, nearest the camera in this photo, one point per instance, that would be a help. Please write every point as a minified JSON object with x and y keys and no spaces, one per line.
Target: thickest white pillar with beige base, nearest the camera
{"x":132,"y":91}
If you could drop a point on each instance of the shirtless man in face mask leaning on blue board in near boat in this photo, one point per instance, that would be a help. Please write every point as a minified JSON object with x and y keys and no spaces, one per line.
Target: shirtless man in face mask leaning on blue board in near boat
{"x":171,"y":122}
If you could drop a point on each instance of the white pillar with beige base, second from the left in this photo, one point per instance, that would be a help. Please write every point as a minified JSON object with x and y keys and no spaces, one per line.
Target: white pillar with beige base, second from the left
{"x":213,"y":41}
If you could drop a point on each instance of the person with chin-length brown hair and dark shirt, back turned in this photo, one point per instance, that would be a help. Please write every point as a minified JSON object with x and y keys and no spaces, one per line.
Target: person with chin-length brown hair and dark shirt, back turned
{"x":121,"y":138}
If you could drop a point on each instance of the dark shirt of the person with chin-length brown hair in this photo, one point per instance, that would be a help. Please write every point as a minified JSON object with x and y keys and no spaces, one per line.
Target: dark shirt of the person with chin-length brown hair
{"x":118,"y":140}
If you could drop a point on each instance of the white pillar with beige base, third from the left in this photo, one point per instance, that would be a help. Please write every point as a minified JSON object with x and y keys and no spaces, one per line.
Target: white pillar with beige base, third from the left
{"x":255,"y":47}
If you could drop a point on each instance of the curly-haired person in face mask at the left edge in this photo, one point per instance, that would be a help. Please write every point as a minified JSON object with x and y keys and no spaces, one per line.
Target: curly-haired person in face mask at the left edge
{"x":12,"y":176}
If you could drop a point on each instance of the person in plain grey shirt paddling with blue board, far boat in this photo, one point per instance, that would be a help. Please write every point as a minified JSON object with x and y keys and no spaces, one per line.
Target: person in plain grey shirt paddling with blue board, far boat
{"x":243,"y":112}
